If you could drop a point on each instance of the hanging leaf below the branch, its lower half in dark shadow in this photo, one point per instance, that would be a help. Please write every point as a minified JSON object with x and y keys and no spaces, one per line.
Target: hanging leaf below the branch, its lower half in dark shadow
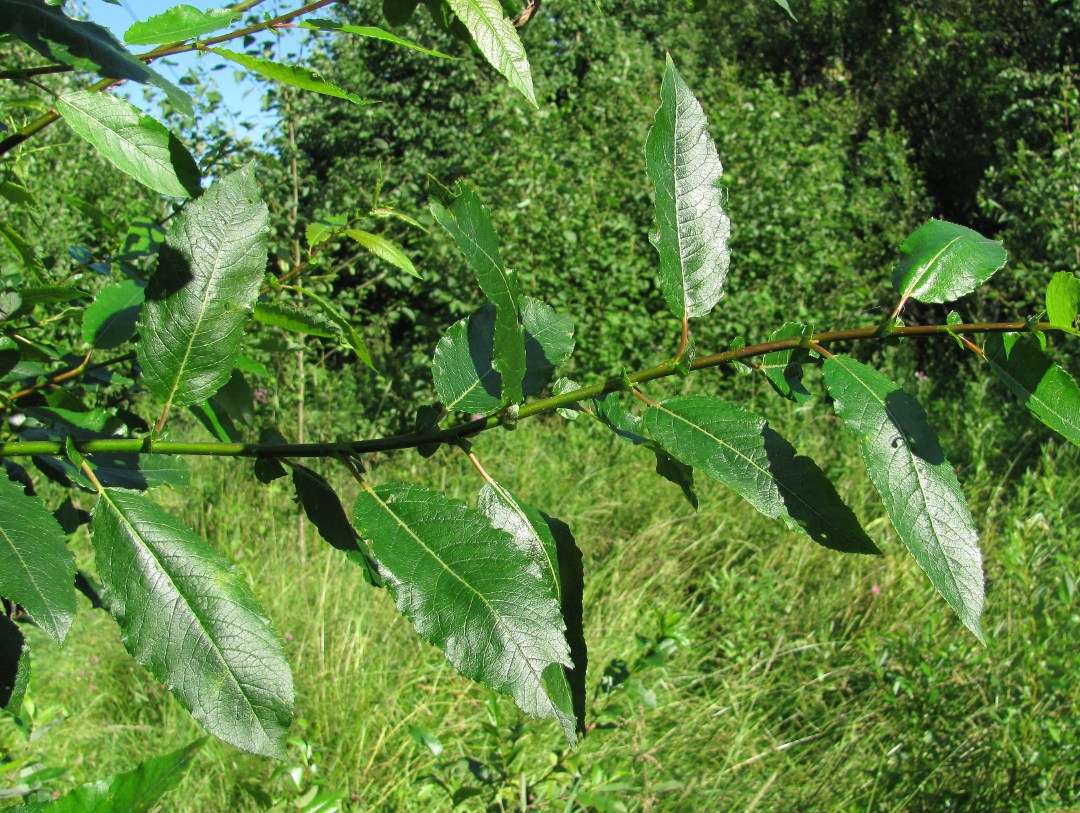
{"x":739,"y":450}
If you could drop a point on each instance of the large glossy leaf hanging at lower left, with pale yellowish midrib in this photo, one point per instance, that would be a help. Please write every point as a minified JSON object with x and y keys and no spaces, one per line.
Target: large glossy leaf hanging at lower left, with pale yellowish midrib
{"x":190,"y":618}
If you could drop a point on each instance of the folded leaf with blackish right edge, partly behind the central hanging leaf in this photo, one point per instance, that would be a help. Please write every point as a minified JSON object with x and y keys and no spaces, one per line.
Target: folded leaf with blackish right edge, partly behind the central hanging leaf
{"x":534,"y":535}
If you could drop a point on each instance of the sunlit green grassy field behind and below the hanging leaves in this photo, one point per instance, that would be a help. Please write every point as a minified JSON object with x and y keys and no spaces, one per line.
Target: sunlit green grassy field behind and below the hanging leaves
{"x":759,"y":672}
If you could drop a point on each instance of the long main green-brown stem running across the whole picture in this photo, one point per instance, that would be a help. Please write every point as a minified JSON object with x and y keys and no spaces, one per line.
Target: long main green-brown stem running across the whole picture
{"x":414,"y":440}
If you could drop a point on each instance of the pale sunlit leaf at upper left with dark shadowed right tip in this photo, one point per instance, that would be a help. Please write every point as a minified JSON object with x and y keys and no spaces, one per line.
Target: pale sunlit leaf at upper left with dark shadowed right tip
{"x":133,"y":142}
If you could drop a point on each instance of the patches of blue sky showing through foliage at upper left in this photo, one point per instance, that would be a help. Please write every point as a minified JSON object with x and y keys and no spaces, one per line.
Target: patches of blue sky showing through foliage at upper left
{"x":244,"y":97}
